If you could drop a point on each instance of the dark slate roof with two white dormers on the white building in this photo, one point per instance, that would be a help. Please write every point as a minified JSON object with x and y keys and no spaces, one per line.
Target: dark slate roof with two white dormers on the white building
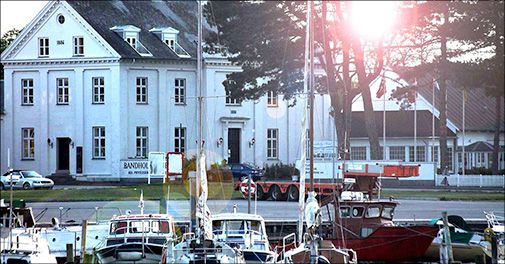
{"x":146,"y":15}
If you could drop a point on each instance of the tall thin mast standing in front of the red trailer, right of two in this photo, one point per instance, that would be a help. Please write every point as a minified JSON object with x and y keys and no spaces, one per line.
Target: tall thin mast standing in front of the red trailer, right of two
{"x":311,"y":97}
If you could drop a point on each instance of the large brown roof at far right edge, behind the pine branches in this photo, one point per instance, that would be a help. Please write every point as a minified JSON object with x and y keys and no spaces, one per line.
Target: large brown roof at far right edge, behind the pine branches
{"x":480,"y":108}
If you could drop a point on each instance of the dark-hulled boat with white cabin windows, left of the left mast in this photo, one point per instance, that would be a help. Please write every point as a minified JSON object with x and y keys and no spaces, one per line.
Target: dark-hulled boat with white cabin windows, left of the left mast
{"x":138,"y":238}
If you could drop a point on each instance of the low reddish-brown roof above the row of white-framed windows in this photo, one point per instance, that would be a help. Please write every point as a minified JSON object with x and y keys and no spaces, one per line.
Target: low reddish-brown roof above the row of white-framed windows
{"x":399,"y":124}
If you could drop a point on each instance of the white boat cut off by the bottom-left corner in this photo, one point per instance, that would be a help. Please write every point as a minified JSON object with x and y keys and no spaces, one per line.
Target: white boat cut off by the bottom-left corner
{"x":26,"y":247}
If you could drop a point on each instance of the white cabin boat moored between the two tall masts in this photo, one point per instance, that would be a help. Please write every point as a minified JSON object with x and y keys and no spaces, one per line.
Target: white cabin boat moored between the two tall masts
{"x":246,"y":232}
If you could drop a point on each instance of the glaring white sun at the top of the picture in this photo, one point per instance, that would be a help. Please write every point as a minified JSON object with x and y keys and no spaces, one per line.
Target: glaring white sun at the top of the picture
{"x":372,"y":19}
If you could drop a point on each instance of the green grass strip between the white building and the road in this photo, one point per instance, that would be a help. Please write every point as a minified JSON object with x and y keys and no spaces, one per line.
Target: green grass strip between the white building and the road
{"x":151,"y":192}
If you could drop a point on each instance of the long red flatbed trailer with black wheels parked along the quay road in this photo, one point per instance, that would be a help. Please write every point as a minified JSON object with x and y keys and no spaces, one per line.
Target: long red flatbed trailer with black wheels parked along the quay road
{"x":365,"y":174}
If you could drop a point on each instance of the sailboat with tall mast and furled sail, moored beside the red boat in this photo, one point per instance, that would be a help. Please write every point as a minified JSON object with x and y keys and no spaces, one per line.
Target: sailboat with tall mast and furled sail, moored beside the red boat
{"x":312,"y":248}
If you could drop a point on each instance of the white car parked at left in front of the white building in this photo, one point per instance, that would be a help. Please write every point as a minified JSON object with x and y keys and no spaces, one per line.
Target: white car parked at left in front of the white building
{"x":27,"y":179}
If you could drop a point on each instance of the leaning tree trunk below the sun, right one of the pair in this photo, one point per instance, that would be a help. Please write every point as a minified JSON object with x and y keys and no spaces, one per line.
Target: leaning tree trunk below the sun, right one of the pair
{"x":364,"y":86}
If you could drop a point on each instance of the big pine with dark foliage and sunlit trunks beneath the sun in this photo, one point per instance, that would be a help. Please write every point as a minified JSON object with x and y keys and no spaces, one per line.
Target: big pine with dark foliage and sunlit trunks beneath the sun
{"x":267,"y":40}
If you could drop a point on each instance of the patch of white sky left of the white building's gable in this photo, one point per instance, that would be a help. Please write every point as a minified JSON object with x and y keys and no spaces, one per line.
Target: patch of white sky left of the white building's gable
{"x":17,"y":14}
